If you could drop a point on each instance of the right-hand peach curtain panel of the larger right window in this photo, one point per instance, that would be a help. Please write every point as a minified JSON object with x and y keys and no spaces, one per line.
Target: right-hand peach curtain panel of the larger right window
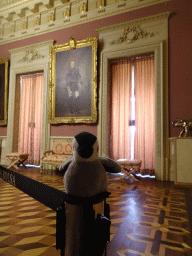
{"x":145,"y":112}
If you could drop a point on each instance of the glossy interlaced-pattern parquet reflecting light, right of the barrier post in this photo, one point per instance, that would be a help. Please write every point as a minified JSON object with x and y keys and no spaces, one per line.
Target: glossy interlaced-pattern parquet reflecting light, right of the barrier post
{"x":155,"y":222}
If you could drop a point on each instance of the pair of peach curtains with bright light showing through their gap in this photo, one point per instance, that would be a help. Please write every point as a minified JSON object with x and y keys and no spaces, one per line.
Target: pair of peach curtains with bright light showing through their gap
{"x":133,"y":110}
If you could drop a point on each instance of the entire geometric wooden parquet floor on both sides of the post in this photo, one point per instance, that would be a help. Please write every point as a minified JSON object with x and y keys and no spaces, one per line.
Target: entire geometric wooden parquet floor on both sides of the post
{"x":147,"y":218}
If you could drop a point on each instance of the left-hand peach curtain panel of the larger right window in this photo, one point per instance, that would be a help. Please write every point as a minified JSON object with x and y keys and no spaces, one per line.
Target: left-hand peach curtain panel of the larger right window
{"x":121,"y":91}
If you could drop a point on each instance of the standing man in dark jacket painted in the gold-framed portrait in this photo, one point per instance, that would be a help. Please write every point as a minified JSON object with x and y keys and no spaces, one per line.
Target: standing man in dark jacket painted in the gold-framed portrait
{"x":73,"y":81}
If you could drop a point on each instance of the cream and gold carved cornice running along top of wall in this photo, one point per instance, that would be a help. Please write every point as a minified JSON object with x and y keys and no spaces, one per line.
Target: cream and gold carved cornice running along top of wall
{"x":21,"y":19}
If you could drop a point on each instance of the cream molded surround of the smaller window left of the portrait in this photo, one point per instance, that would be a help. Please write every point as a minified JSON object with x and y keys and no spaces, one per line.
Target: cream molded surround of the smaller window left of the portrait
{"x":30,"y":64}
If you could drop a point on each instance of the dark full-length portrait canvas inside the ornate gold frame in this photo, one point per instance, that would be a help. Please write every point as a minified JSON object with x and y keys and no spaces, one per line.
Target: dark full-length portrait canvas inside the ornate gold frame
{"x":73,"y":82}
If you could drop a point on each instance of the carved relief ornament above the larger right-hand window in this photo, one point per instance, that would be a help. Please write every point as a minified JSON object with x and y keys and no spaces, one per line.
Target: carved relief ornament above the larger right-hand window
{"x":132,"y":34}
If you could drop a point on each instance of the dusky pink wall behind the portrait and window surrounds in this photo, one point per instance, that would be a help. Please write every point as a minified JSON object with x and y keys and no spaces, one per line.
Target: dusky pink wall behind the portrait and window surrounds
{"x":180,"y":55}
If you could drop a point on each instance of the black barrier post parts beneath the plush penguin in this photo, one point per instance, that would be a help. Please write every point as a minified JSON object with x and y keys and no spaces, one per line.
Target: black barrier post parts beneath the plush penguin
{"x":92,"y":226}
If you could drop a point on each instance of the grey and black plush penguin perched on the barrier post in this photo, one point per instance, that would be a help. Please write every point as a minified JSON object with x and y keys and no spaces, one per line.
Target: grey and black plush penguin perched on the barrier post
{"x":85,"y":173}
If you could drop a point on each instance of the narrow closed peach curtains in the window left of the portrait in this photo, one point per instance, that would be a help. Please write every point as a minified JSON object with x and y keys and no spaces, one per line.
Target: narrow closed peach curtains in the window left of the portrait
{"x":30,"y":118}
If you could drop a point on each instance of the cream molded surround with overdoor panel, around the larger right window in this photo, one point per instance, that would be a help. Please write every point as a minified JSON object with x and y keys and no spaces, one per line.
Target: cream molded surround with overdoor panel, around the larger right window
{"x":157,"y":26}
